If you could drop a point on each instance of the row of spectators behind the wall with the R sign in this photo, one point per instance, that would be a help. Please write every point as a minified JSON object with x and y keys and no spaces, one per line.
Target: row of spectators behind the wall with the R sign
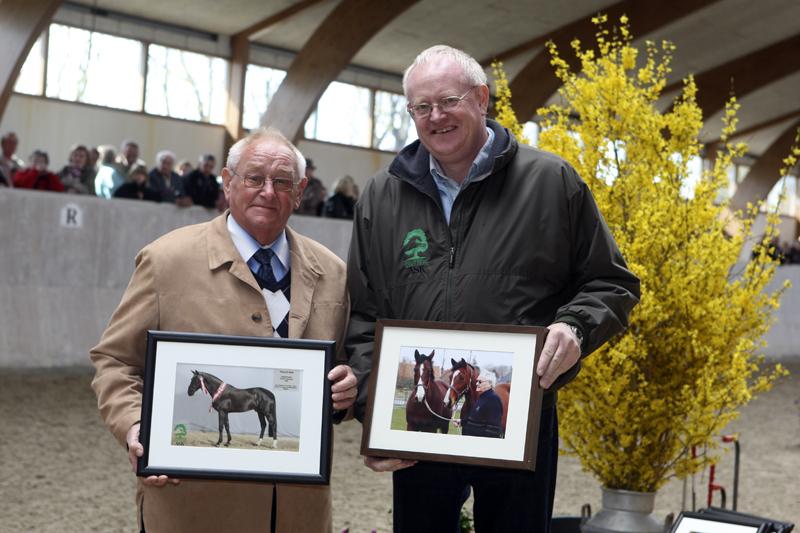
{"x":105,"y":172}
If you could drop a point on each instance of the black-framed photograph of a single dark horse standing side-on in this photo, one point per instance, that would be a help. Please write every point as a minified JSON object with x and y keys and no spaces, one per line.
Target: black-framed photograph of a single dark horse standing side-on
{"x":236,"y":408}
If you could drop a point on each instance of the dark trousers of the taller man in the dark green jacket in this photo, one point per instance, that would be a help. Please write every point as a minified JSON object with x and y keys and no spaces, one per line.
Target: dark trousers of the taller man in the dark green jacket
{"x":428,"y":496}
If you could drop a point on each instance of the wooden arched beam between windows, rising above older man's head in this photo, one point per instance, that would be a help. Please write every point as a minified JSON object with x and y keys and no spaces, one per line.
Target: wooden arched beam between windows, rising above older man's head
{"x":340,"y":36}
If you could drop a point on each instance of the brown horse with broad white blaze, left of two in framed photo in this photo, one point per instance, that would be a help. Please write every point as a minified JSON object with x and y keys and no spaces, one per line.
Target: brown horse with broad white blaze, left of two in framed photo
{"x":425,"y":408}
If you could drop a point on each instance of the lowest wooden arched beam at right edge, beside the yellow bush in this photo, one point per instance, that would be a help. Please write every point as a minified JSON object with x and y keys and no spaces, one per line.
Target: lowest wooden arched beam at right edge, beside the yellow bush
{"x":765,"y":172}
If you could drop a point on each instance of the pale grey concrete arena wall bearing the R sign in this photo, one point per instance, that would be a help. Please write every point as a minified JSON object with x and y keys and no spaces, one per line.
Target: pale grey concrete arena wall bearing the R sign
{"x":65,"y":261}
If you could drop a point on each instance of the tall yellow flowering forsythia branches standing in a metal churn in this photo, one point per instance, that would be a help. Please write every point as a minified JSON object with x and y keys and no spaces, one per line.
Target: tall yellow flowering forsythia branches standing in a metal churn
{"x":689,"y":360}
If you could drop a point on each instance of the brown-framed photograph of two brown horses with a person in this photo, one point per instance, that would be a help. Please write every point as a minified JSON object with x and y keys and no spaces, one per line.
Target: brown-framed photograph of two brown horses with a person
{"x":456,"y":393}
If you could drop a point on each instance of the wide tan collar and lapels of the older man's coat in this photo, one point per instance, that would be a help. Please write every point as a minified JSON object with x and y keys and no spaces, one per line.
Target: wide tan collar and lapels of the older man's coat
{"x":306,"y":269}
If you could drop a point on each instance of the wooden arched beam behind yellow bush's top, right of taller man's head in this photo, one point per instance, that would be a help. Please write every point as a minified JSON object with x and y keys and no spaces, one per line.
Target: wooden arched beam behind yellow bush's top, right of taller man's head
{"x":536,"y":82}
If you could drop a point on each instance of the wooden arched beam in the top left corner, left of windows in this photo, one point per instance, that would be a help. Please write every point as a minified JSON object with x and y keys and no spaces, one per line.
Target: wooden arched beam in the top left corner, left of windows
{"x":21,"y":23}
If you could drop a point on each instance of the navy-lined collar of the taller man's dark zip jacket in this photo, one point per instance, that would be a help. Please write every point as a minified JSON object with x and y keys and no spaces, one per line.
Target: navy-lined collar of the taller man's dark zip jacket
{"x":412,"y":164}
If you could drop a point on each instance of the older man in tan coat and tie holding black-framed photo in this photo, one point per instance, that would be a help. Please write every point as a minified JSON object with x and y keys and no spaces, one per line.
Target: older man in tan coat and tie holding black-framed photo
{"x":214,"y":278}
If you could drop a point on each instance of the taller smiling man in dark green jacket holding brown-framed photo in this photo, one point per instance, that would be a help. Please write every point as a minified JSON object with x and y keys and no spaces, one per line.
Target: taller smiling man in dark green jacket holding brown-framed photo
{"x":468,"y":226}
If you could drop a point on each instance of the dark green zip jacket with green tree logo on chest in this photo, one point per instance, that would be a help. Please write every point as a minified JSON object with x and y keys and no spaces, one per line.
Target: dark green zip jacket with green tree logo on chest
{"x":526,"y":245}
